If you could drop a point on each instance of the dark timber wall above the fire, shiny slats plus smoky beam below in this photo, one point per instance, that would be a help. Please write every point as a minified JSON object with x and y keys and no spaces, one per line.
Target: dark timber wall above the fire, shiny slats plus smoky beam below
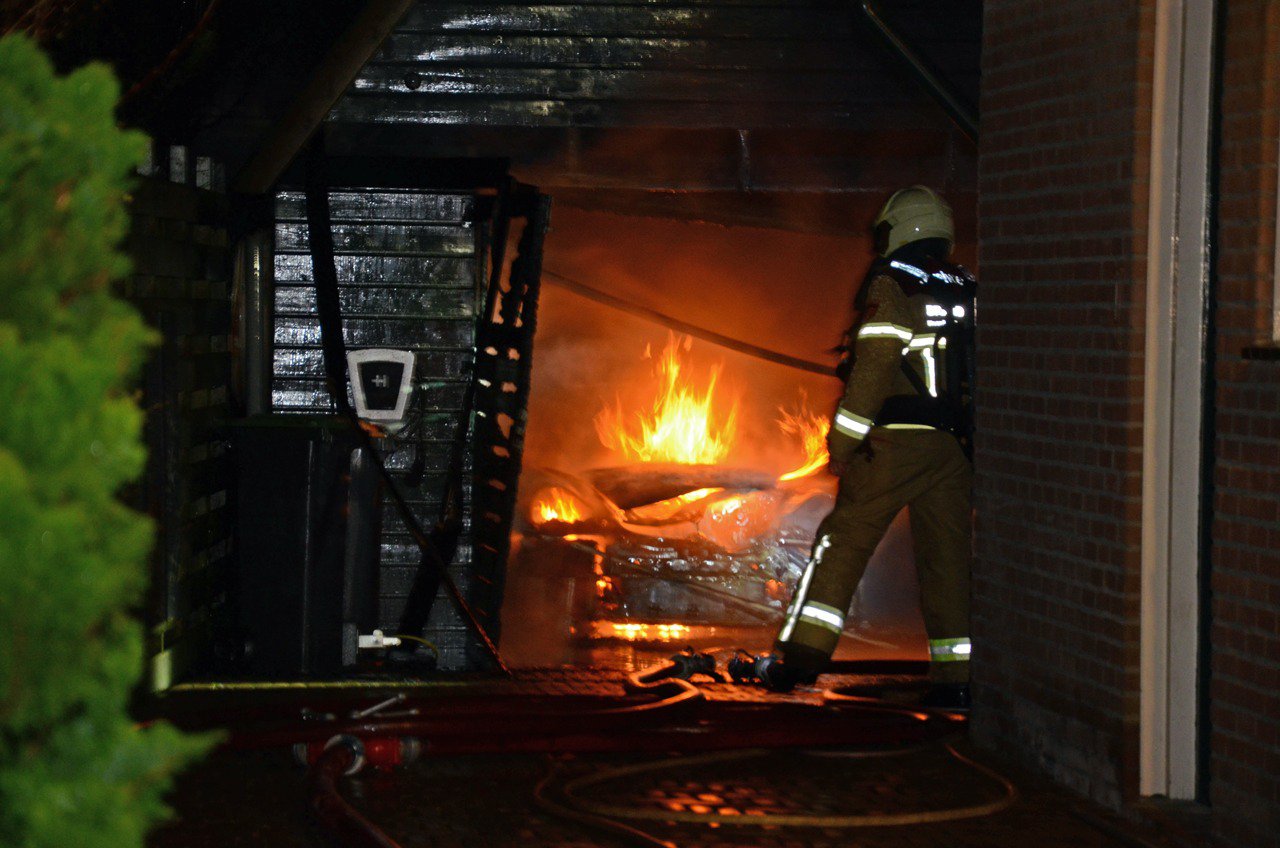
{"x":762,"y":113}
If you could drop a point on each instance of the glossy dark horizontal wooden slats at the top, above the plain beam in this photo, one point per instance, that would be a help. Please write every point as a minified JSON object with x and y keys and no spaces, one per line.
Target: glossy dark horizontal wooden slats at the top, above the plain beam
{"x":711,"y":65}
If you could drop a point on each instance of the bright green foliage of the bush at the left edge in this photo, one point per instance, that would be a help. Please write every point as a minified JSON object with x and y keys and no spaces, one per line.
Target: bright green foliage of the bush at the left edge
{"x":75,"y":771}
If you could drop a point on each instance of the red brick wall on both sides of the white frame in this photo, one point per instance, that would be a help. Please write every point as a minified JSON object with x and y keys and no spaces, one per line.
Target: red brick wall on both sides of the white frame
{"x":1063,"y":225}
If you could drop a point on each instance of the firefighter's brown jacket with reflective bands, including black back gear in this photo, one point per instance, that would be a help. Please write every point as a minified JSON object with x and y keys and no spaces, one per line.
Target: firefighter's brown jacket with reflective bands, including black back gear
{"x":911,"y":354}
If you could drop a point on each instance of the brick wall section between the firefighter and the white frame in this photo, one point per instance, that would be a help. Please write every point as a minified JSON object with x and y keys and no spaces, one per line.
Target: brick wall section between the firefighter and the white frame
{"x":1063,"y":211}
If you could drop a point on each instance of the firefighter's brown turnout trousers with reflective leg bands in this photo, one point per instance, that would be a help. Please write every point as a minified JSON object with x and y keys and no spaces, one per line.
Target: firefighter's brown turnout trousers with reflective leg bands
{"x":926,"y":472}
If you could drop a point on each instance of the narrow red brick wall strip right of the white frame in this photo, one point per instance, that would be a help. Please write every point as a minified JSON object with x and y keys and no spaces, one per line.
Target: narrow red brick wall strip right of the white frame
{"x":1245,"y":782}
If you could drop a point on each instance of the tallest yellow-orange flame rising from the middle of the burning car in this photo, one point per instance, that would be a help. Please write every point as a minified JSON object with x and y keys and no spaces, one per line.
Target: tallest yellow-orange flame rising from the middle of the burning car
{"x":683,"y":427}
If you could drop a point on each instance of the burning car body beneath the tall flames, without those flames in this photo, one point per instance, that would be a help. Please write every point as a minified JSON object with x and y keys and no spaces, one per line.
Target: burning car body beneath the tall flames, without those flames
{"x":694,"y":544}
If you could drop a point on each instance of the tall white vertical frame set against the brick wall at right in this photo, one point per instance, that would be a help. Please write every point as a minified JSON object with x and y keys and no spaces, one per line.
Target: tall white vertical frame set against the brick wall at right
{"x":1173,"y":428}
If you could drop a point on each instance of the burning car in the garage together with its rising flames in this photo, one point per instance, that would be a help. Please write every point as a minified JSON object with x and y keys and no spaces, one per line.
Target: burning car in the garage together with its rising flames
{"x":675,"y":536}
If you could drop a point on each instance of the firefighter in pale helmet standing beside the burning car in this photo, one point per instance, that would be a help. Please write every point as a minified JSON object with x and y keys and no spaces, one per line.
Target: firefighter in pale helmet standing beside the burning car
{"x":899,"y":440}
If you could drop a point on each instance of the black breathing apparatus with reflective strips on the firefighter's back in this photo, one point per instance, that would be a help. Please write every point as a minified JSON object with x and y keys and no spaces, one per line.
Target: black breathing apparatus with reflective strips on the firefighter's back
{"x":950,"y":291}
